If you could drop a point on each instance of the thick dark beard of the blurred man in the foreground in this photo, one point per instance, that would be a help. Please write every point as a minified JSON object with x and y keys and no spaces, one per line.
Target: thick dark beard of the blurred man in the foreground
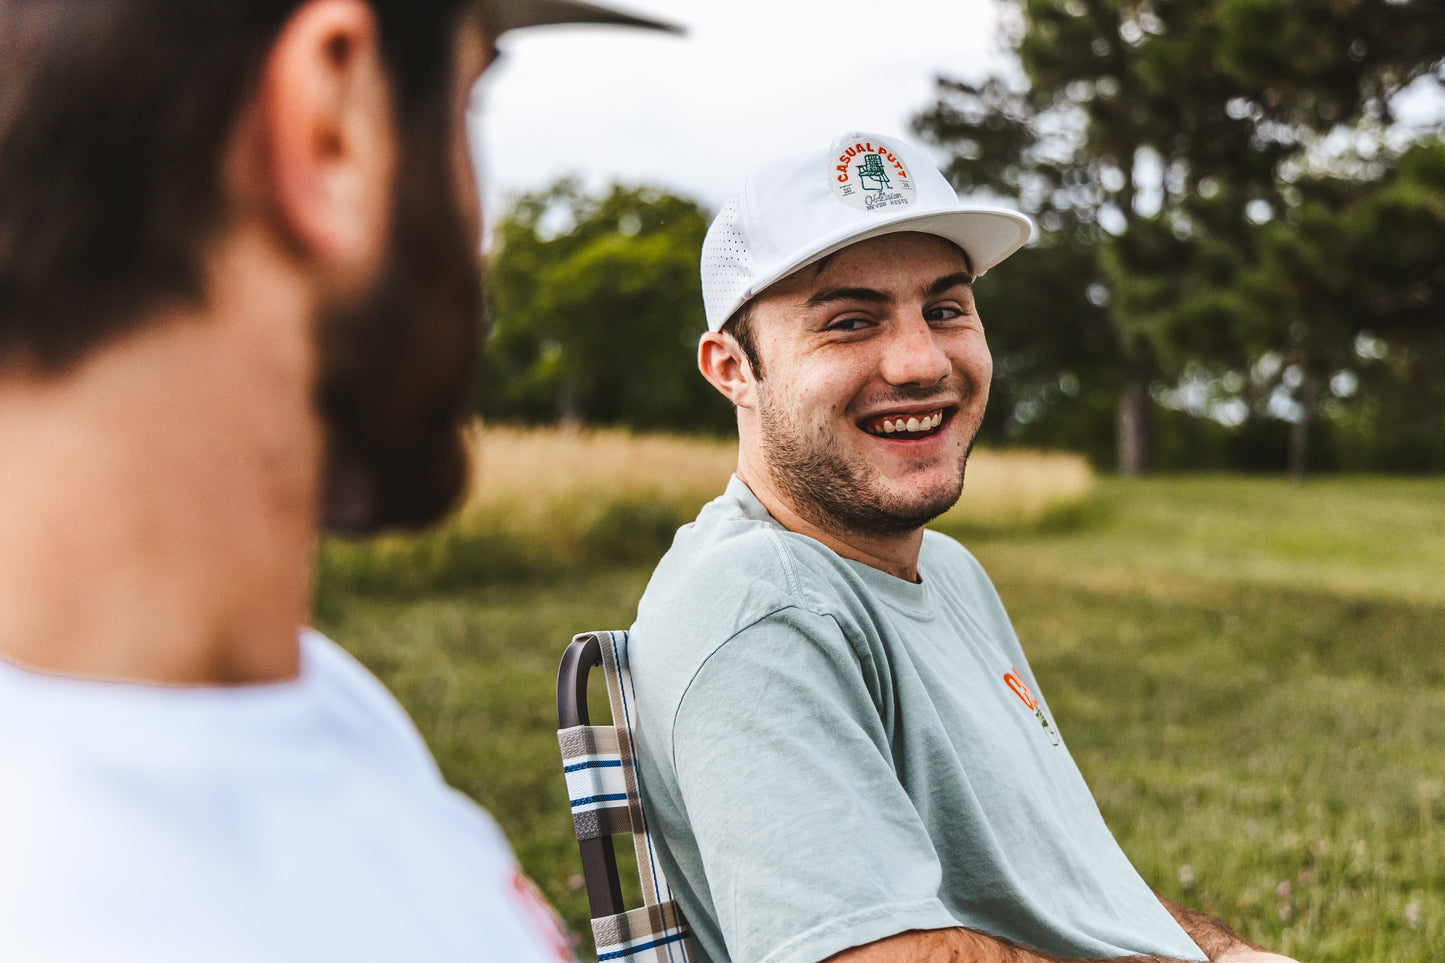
{"x":397,"y":368}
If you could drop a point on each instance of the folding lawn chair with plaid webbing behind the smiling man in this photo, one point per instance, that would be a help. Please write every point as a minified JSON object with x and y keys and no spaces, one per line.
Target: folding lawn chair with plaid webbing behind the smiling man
{"x":602,"y":783}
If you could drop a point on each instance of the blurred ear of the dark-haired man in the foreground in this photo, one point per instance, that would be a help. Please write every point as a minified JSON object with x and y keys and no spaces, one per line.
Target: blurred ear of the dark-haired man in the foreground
{"x":330,"y":135}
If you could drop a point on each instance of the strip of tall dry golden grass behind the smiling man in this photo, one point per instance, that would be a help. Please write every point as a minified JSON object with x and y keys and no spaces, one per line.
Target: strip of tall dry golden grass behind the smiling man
{"x":550,"y":501}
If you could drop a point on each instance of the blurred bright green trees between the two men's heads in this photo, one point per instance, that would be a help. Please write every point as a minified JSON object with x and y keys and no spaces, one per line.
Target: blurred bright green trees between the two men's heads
{"x":598,"y":309}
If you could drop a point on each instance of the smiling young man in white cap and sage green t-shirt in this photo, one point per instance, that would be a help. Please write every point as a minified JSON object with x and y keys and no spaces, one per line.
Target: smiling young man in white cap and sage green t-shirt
{"x":843,"y":748}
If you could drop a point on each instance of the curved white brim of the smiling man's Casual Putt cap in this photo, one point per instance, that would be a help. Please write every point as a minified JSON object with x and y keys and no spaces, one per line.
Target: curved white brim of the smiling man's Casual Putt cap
{"x":985,"y":234}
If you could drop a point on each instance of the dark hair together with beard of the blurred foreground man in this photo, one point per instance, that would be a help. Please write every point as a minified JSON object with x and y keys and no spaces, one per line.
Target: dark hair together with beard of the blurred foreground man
{"x":115,"y":122}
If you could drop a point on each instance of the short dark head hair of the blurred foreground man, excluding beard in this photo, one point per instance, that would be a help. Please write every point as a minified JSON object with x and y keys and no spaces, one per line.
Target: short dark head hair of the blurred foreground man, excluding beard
{"x":113,"y":119}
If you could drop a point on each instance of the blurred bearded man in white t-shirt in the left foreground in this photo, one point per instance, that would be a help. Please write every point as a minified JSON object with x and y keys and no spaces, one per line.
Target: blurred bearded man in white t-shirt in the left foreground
{"x":239,"y":303}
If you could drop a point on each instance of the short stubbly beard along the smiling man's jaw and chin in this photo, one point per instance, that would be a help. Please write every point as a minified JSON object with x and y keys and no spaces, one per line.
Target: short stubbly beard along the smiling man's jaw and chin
{"x":837,"y":494}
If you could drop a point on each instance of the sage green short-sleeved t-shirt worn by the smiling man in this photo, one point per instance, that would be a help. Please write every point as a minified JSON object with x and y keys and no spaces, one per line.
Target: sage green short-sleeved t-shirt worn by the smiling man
{"x":832,"y":756}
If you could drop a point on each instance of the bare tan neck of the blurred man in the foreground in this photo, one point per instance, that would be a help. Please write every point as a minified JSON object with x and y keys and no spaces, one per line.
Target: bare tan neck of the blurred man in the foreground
{"x":160,"y":501}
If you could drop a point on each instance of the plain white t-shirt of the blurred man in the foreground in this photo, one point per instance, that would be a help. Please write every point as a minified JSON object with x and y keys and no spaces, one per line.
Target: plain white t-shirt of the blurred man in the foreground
{"x":298,"y":822}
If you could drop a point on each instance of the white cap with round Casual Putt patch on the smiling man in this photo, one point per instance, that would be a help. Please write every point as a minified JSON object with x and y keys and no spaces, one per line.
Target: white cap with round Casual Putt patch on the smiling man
{"x":797,"y":210}
